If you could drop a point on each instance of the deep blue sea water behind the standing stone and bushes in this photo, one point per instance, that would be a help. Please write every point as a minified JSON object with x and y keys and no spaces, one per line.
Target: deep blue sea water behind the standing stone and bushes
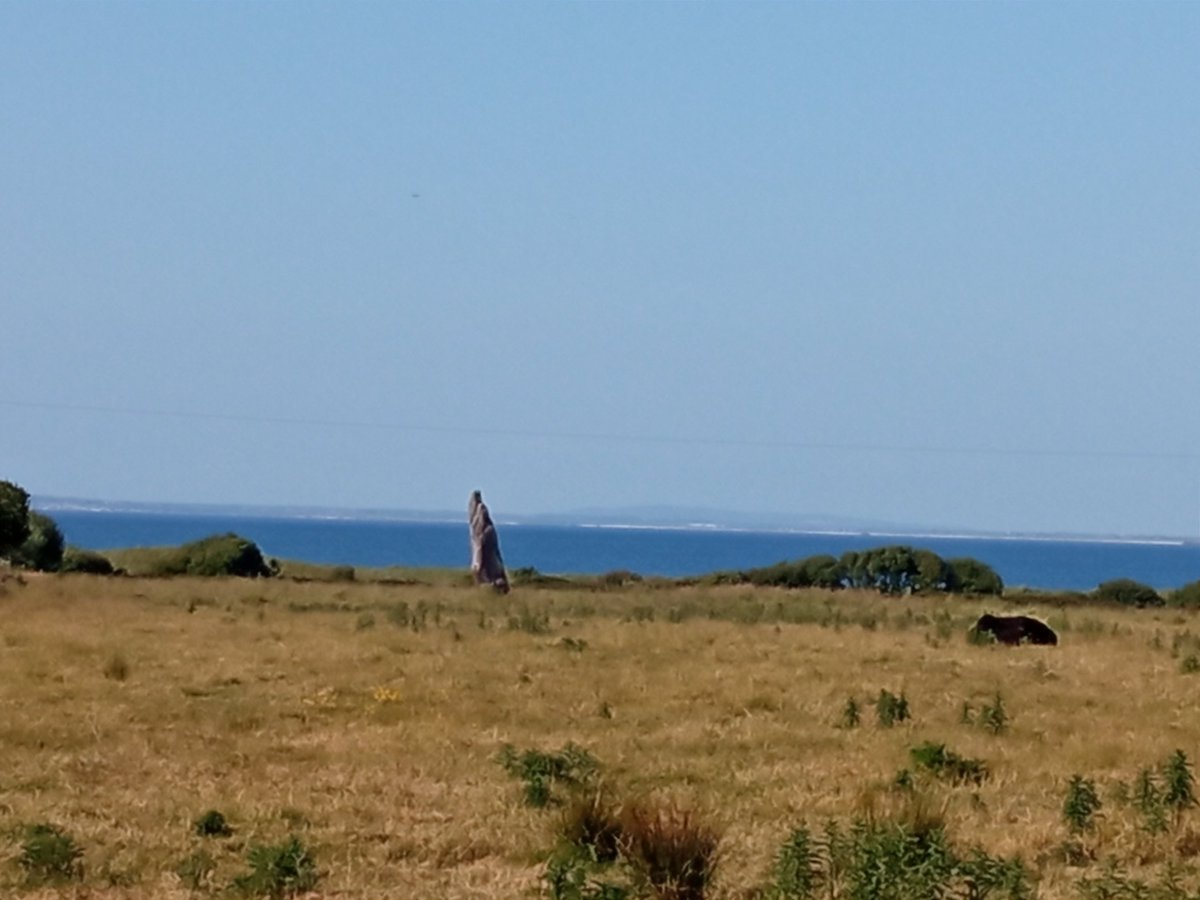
{"x":1052,"y":565}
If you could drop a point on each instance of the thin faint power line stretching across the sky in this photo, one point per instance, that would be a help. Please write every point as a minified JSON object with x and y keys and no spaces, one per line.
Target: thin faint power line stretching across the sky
{"x":613,"y":437}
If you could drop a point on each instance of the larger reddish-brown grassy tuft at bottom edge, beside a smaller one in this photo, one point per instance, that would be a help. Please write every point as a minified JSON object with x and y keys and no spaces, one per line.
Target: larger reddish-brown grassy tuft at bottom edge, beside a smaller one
{"x":670,"y":850}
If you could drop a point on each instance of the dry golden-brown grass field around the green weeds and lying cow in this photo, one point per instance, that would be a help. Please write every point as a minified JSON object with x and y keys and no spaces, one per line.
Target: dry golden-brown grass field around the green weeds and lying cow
{"x":367,"y":721}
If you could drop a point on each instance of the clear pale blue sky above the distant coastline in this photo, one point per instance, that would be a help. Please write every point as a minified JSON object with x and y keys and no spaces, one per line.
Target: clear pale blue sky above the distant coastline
{"x":927,"y":263}
